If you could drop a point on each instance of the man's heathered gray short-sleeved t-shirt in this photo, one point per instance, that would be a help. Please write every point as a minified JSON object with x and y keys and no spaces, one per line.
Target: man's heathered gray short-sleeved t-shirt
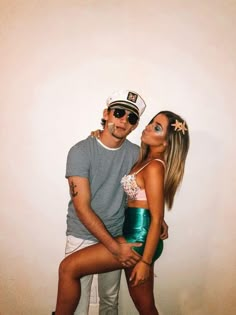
{"x":104,"y":167}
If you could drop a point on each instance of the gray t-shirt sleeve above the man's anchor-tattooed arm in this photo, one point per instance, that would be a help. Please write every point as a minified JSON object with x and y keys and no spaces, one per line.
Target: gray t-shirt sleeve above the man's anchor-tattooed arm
{"x":78,"y":161}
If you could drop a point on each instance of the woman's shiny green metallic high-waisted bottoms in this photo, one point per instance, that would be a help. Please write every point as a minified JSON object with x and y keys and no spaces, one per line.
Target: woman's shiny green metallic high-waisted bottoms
{"x":136,"y":225}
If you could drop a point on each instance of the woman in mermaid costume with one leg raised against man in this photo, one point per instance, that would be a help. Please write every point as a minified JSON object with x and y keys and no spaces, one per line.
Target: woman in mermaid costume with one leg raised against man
{"x":152,"y":183}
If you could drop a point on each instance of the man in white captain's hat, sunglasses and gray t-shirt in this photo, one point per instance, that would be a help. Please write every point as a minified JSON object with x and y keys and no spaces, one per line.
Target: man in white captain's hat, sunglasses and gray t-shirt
{"x":96,"y":209}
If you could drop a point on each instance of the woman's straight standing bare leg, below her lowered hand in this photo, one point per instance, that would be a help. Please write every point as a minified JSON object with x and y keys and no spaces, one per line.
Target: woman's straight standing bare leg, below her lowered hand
{"x":143,"y":295}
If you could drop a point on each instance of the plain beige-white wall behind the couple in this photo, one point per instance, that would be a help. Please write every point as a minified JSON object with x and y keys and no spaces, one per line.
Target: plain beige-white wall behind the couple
{"x":59,"y":62}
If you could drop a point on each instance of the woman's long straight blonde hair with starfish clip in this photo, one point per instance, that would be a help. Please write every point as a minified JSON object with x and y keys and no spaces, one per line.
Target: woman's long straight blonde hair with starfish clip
{"x":174,"y":156}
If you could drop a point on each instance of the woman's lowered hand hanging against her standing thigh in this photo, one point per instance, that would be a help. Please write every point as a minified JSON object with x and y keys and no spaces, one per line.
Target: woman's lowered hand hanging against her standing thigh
{"x":140,"y":273}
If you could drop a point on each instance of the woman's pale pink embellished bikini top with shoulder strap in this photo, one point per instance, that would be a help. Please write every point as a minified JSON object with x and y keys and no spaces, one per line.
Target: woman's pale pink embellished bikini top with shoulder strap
{"x":130,"y":186}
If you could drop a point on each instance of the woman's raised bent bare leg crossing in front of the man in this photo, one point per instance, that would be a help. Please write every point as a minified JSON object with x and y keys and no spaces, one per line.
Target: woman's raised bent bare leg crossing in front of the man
{"x":90,"y":260}
